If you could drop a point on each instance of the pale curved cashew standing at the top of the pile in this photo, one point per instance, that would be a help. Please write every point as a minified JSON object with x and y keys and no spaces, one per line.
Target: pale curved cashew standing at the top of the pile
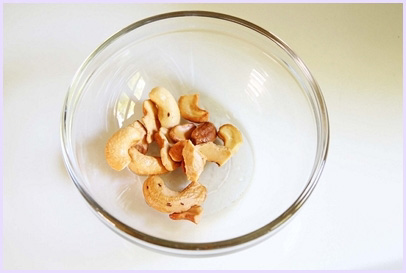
{"x":168,"y":110}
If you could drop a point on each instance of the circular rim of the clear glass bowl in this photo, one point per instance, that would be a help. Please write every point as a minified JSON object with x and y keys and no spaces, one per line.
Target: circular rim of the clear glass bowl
{"x":216,"y":247}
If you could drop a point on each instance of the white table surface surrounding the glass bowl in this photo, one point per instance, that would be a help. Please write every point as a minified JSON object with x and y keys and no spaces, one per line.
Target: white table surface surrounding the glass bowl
{"x":353,"y":220}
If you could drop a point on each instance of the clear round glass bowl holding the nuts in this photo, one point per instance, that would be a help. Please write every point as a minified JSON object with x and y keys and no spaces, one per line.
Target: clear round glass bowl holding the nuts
{"x":245,"y":76}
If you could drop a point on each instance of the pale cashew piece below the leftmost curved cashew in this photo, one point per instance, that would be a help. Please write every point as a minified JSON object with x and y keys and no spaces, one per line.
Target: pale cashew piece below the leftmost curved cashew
{"x":144,"y":164}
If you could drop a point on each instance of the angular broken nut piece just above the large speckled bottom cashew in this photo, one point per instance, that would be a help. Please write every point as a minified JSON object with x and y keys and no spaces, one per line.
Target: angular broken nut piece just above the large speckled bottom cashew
{"x":194,"y":161}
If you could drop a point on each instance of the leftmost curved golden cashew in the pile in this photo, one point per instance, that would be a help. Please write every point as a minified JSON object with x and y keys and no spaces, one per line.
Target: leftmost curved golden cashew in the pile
{"x":116,"y":150}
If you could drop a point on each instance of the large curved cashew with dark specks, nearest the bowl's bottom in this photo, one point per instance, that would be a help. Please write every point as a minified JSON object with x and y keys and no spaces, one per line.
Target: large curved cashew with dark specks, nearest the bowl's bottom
{"x":163,"y":199}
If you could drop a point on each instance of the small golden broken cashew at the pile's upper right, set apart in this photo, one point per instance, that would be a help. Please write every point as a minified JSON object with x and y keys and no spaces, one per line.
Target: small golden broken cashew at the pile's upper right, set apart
{"x":189,"y":109}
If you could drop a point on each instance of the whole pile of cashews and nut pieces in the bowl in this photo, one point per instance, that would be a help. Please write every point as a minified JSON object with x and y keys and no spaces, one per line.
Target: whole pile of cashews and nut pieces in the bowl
{"x":188,"y":145}
